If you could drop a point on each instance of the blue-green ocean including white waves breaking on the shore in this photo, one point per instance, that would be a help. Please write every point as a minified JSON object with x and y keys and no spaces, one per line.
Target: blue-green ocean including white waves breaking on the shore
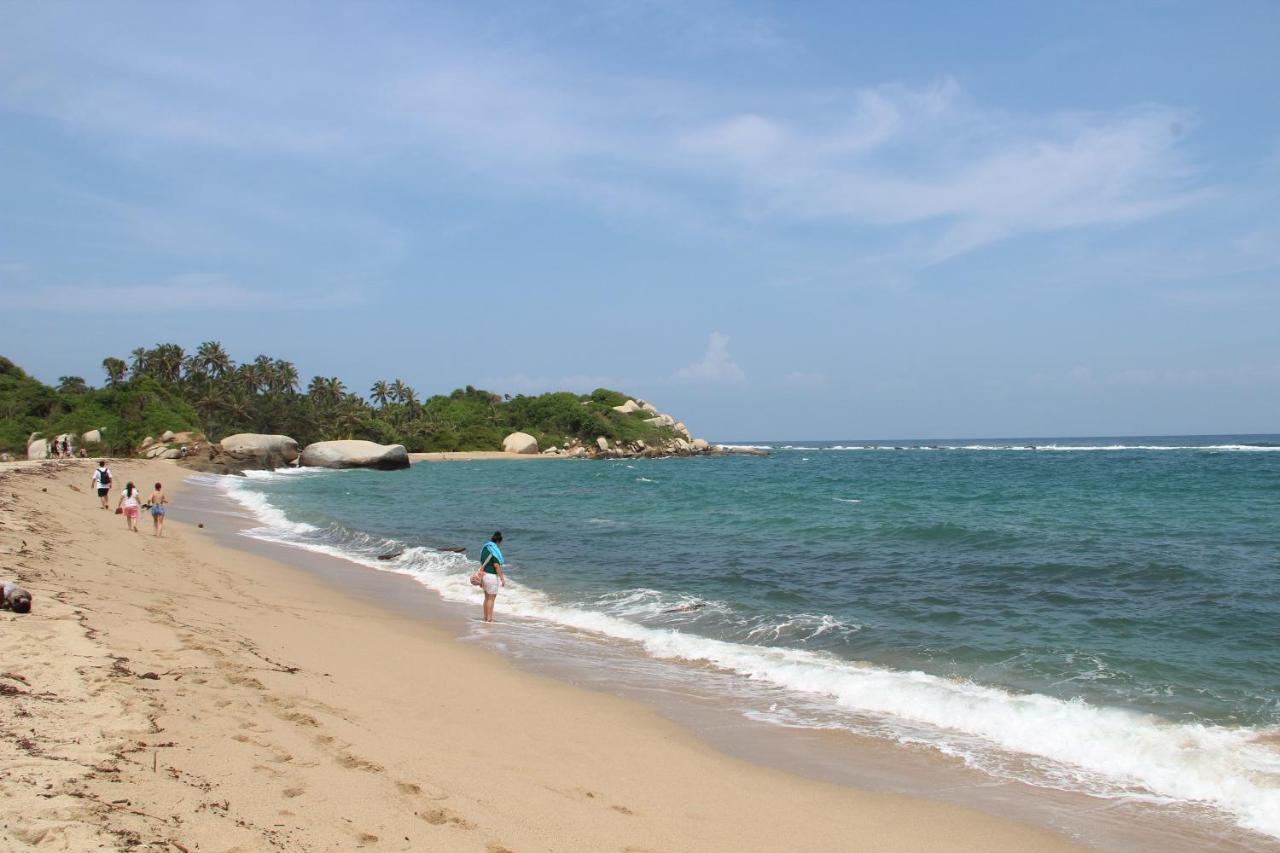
{"x":1100,"y":615}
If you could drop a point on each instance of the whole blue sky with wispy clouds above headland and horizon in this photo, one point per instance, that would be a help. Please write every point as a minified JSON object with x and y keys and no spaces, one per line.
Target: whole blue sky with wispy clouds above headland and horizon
{"x":774,"y":221}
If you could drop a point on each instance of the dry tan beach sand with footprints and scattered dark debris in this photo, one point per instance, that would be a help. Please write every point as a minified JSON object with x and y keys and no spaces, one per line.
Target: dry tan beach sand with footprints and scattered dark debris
{"x":186,"y":696}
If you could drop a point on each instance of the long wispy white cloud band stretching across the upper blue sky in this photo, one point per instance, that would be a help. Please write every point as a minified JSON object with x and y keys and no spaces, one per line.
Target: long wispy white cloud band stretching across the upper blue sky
{"x":892,"y":157}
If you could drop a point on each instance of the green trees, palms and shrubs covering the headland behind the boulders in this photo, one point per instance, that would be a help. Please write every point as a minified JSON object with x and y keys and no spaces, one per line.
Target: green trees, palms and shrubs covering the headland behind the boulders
{"x":167,"y":389}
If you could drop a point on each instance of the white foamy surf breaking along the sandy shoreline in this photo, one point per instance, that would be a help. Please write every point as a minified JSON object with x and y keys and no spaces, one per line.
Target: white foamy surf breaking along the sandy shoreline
{"x":1105,"y":751}
